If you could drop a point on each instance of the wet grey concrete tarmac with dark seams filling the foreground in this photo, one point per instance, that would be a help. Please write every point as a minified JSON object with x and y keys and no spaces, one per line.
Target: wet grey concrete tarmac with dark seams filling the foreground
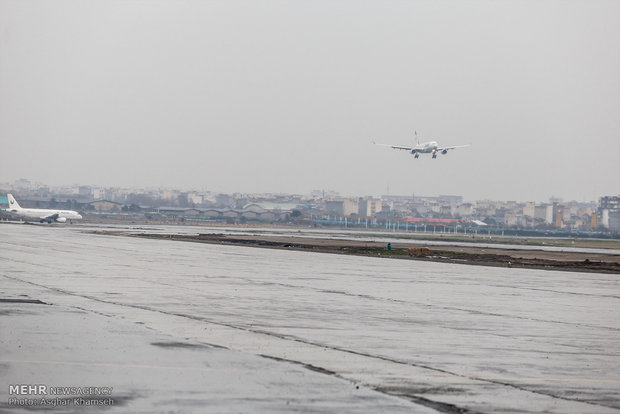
{"x":186,"y":327}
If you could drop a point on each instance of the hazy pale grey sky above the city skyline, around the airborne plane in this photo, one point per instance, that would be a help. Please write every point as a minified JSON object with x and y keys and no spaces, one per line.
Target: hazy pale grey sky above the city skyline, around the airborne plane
{"x":286,"y":96}
